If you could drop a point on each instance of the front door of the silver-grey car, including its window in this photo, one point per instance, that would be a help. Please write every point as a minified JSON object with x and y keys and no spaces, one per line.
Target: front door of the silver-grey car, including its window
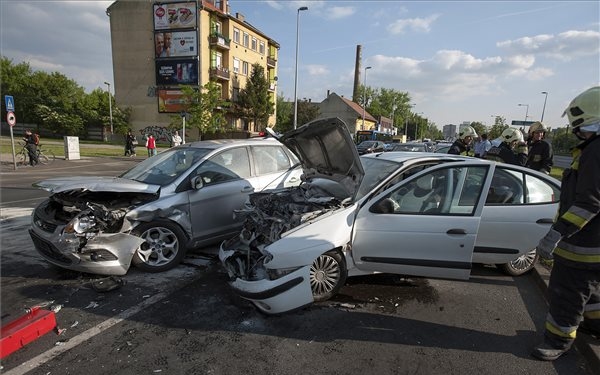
{"x":226,"y":185}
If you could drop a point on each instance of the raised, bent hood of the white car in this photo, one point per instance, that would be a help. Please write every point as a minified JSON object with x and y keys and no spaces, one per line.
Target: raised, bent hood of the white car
{"x":326,"y":150}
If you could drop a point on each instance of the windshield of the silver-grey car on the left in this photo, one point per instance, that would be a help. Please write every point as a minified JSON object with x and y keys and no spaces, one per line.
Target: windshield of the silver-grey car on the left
{"x":164,"y":168}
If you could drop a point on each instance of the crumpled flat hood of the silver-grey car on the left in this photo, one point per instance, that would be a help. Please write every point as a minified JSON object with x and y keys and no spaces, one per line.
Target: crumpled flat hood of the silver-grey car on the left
{"x":96,"y":183}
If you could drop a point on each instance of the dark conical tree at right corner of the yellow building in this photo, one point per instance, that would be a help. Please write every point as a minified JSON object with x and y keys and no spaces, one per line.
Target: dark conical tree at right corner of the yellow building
{"x":254,"y":102}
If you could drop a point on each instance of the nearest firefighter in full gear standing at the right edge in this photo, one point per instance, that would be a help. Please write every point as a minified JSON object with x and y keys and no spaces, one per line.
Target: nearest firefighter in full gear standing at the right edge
{"x":573,"y":241}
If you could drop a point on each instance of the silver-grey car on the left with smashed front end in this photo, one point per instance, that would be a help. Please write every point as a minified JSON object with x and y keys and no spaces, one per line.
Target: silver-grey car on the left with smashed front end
{"x":150,"y":215}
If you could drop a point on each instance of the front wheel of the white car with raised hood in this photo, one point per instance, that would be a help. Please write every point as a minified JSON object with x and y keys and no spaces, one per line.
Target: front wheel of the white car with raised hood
{"x":327,"y":275}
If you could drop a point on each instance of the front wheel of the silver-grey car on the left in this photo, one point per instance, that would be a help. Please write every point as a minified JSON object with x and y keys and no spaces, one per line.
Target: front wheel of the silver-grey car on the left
{"x":164,"y":247}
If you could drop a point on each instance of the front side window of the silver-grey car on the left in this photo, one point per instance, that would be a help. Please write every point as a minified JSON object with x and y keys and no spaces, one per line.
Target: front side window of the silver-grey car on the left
{"x":228,"y":165}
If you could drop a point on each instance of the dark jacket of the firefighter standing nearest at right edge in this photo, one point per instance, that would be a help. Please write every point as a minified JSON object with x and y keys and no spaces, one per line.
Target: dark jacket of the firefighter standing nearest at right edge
{"x":578,"y":220}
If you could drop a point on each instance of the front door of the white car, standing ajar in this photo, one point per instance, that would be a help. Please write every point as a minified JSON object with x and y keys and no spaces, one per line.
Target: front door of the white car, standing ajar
{"x":423,"y":226}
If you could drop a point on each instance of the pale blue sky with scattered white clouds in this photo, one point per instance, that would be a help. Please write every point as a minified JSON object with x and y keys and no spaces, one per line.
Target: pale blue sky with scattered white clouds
{"x":458,"y":60}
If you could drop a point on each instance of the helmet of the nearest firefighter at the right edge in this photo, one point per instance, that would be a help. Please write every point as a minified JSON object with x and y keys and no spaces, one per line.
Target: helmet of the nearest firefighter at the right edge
{"x":584,"y":110}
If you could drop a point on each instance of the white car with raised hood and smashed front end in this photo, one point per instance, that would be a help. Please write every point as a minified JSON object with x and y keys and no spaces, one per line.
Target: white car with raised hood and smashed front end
{"x":409,"y":213}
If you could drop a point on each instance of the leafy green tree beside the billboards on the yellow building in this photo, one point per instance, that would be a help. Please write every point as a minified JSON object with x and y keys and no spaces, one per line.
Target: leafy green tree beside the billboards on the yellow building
{"x":206,"y":108}
